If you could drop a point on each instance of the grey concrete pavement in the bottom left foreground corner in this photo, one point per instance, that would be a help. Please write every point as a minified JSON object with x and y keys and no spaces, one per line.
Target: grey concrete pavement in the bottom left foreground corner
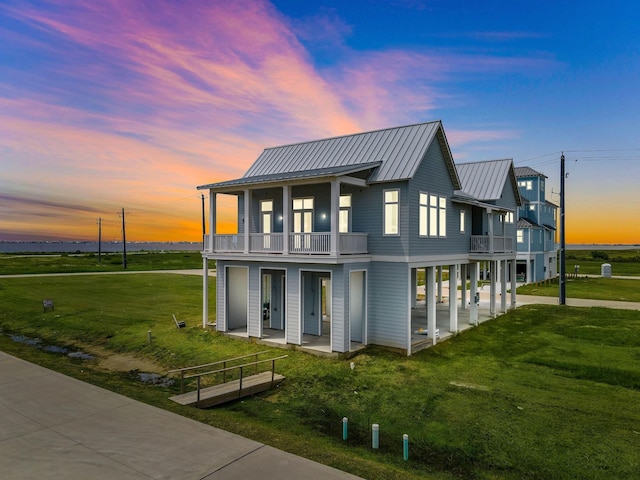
{"x":54,"y":427}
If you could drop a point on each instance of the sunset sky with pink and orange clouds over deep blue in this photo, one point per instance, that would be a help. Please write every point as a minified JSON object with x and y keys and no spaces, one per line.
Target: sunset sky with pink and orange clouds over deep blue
{"x":131,"y":104}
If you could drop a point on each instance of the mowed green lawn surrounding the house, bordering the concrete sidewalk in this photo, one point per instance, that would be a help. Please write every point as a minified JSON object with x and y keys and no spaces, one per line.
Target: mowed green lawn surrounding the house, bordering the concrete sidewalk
{"x":544,"y":392}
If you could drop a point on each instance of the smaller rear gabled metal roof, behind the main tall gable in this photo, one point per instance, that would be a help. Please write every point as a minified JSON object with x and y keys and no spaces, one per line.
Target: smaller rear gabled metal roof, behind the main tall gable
{"x":485,"y":180}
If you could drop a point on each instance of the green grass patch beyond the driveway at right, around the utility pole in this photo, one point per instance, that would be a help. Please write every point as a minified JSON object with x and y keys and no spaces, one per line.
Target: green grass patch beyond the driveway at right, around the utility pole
{"x":595,"y":288}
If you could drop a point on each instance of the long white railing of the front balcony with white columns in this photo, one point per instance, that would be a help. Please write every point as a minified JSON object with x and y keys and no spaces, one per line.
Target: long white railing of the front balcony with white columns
{"x":312,"y":243}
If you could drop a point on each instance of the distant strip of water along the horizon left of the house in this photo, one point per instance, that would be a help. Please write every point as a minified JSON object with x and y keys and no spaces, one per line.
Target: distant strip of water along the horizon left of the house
{"x":92,"y":247}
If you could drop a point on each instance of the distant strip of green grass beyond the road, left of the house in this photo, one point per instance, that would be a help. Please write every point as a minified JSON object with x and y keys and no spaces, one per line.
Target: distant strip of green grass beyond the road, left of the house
{"x":14,"y":264}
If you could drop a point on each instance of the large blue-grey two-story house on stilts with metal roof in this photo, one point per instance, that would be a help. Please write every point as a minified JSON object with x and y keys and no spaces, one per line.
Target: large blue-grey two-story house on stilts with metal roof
{"x":331,"y":235}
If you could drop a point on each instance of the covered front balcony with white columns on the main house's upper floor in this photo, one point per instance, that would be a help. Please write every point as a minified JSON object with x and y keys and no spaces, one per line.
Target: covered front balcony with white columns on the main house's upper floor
{"x":309,"y":213}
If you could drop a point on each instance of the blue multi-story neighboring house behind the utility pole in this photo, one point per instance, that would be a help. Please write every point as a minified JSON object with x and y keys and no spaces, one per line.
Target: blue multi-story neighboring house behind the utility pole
{"x":536,"y":236}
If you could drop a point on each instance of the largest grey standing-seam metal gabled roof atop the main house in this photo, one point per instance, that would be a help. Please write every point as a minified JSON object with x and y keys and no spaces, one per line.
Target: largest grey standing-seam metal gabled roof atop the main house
{"x":400,"y":150}
